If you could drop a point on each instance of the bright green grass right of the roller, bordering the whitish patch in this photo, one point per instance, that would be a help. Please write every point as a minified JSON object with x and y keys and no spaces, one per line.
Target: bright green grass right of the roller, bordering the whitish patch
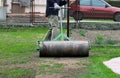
{"x":96,"y":67}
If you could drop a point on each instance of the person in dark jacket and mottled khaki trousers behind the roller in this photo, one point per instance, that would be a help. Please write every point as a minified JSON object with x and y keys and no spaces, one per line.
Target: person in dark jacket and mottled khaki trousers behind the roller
{"x":52,"y":10}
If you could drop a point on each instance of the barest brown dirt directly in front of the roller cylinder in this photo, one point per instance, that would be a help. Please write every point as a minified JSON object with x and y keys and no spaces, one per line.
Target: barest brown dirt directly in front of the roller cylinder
{"x":71,"y":66}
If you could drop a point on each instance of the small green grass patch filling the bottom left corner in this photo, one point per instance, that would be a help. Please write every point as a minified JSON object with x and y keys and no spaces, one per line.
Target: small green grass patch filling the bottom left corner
{"x":17,"y":73}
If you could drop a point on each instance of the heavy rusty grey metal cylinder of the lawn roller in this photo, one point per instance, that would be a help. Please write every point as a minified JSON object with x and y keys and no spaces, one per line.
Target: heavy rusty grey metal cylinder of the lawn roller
{"x":64,"y":49}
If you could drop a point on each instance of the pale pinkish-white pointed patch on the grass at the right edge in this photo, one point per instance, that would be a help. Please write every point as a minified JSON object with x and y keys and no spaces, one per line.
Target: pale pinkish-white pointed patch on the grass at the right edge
{"x":113,"y":64}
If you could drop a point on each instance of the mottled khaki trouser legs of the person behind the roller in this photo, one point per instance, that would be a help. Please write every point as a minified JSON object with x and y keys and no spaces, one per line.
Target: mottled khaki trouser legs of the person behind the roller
{"x":54,"y":25}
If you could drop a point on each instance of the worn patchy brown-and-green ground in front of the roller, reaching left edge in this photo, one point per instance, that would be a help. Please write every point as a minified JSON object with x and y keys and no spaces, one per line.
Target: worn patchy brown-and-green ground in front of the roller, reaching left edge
{"x":48,"y":67}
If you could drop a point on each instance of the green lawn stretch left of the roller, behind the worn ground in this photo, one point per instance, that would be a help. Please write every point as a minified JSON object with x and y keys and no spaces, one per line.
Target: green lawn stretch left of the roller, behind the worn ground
{"x":20,"y":39}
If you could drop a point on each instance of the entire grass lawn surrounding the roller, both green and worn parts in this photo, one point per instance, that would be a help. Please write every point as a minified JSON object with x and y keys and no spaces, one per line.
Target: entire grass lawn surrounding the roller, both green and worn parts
{"x":19,"y":58}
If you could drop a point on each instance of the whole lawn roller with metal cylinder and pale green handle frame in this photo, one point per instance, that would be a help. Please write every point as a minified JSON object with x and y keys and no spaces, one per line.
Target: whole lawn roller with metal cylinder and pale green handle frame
{"x":61,"y":48}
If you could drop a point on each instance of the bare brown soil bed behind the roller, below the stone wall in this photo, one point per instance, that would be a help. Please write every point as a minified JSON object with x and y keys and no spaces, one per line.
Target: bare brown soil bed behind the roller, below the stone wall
{"x":91,"y":35}
